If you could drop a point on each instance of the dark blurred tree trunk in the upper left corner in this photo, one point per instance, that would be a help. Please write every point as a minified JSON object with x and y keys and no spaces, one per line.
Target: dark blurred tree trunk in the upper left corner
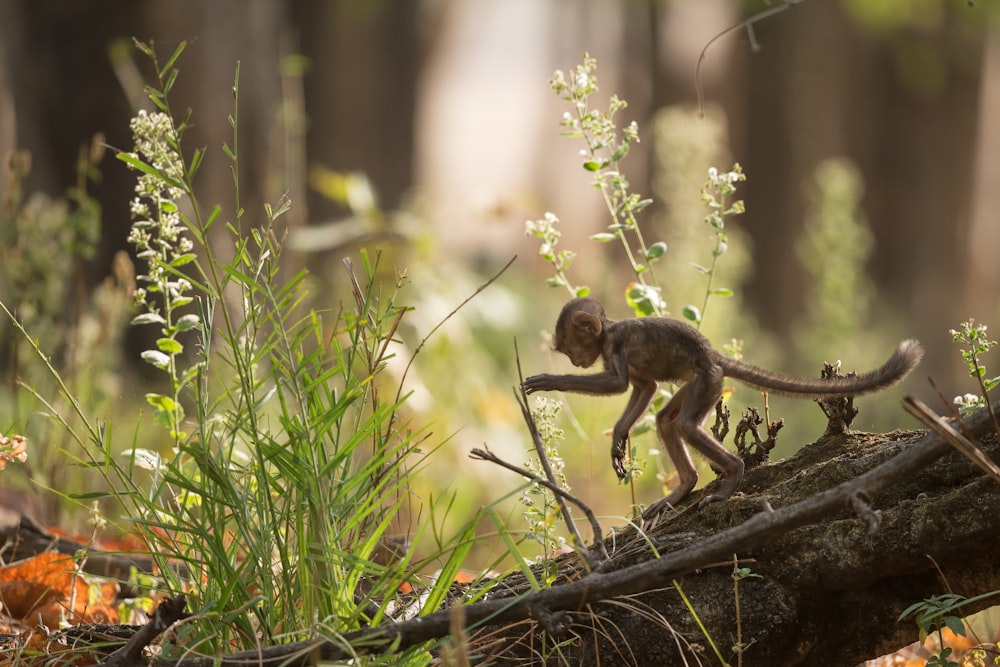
{"x":59,"y":93}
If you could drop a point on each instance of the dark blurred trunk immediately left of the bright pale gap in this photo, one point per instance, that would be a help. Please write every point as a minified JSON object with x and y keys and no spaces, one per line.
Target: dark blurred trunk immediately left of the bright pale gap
{"x":360,"y":91}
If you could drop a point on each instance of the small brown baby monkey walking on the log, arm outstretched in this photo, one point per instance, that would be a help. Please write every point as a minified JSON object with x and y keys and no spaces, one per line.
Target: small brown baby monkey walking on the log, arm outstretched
{"x":643,"y":351}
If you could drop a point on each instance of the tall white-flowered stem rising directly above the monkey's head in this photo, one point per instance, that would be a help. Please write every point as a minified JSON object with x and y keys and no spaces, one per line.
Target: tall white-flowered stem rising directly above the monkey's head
{"x":605,"y":148}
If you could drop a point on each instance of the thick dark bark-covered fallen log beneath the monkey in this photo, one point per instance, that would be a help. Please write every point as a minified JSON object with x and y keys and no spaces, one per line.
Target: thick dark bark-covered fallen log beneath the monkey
{"x":825,"y":593}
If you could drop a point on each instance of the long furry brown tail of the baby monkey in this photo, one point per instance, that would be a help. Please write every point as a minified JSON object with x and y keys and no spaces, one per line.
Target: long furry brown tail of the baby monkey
{"x":903,"y":360}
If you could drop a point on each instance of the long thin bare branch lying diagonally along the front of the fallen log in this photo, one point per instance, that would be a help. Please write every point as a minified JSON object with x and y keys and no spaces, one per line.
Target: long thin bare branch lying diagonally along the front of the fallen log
{"x":599,"y":585}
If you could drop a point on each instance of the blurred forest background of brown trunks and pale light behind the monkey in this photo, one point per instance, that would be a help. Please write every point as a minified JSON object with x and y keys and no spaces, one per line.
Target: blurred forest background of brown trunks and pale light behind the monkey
{"x":426,"y":128}
